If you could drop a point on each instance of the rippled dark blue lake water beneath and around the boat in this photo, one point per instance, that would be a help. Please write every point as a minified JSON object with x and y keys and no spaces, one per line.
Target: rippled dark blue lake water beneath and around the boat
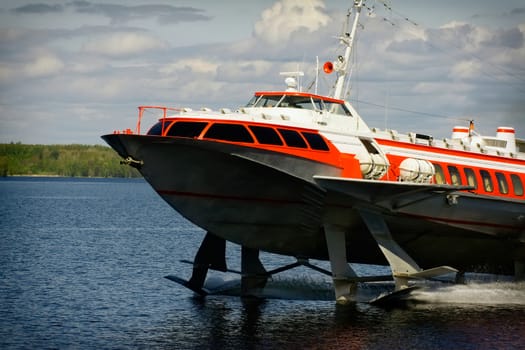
{"x":82,"y":266}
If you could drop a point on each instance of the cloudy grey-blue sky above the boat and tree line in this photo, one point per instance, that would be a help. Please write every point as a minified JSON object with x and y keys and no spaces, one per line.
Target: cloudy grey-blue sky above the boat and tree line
{"x":73,"y":70}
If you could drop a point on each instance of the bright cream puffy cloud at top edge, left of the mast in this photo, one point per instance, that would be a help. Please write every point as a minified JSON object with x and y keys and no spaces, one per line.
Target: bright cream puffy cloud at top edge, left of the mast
{"x":285,"y":17}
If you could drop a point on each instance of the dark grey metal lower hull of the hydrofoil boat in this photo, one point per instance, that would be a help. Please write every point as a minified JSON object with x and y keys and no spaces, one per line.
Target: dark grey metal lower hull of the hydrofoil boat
{"x":270,"y":201}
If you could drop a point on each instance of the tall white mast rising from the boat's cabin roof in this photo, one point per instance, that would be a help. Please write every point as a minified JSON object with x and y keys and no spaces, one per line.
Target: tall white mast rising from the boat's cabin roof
{"x":341,"y":64}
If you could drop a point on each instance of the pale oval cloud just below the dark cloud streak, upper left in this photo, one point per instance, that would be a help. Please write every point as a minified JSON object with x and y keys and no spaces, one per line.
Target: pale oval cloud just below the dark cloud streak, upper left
{"x":123,"y":44}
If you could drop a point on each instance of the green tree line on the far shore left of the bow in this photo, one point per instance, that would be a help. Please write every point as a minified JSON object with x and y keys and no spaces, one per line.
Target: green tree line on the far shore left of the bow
{"x":62,"y":160}
